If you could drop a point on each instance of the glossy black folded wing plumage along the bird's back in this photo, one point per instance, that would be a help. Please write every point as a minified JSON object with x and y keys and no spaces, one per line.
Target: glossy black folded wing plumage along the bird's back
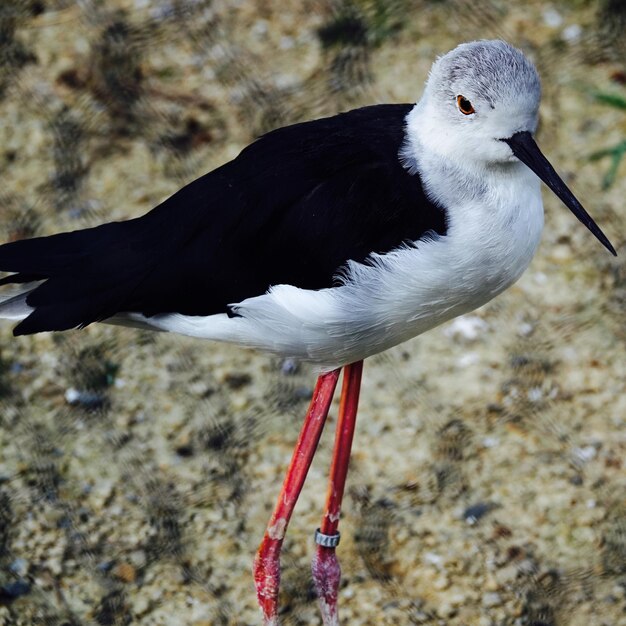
{"x":292,"y":208}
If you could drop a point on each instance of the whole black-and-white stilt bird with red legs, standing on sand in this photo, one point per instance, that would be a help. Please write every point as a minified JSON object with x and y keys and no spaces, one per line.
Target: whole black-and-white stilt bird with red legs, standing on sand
{"x":326,"y":241}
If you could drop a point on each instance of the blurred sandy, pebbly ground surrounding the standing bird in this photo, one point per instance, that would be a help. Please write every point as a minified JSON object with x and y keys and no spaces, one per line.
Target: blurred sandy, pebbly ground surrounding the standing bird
{"x":137,"y":471}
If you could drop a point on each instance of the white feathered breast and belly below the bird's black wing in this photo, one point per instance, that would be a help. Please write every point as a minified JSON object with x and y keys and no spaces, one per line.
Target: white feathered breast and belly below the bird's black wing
{"x":492,"y":235}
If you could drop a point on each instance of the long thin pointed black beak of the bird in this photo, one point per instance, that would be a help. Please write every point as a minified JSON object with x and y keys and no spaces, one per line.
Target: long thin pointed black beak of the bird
{"x":527,"y":151}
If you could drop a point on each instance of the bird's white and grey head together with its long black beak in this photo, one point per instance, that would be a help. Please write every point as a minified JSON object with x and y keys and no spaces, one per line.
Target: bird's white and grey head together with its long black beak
{"x":480,"y":110}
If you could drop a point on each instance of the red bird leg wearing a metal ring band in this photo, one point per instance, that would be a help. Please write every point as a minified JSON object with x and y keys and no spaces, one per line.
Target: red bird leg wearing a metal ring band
{"x":325,"y":567}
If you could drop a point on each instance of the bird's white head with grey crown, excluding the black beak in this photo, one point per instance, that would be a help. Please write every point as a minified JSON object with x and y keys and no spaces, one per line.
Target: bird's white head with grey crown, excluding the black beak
{"x":477,"y":95}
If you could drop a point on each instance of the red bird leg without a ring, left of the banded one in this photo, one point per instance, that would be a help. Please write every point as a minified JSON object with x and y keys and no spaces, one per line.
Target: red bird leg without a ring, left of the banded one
{"x":267,"y":561}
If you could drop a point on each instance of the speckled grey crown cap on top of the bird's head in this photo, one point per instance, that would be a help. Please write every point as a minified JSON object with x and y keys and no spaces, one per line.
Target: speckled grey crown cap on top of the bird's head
{"x":492,"y":69}
